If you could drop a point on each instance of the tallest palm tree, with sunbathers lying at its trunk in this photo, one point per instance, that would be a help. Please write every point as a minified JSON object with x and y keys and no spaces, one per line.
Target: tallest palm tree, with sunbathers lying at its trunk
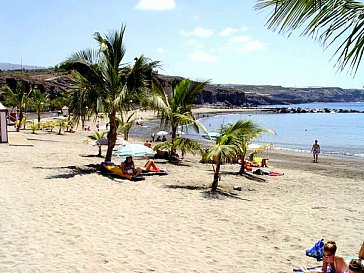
{"x":106,"y":85}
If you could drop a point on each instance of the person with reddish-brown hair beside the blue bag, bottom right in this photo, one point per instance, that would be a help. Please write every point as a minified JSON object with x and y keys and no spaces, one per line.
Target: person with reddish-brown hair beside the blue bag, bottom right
{"x":331,"y":262}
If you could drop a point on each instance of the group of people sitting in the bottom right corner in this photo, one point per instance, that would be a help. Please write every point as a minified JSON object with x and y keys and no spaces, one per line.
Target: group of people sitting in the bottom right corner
{"x":336,"y":264}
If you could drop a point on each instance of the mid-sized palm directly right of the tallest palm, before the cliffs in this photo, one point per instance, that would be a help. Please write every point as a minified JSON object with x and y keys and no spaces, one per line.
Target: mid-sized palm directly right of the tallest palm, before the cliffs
{"x":177,"y":111}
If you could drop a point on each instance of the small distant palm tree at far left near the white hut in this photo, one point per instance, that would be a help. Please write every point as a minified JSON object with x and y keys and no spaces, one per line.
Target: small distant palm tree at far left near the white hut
{"x":19,"y":98}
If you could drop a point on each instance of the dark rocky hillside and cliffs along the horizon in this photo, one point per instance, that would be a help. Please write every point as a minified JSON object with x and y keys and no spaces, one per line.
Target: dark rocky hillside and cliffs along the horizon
{"x":227,"y":95}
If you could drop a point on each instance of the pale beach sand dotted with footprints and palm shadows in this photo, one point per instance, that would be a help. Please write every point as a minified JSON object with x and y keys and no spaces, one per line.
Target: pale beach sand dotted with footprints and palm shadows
{"x":58,"y":214}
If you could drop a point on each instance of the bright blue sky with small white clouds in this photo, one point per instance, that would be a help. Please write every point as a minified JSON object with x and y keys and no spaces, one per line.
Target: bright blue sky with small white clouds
{"x":226,"y":42}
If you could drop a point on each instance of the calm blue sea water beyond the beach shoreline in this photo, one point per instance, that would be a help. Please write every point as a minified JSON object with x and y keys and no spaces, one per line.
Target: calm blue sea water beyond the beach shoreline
{"x":339,"y":134}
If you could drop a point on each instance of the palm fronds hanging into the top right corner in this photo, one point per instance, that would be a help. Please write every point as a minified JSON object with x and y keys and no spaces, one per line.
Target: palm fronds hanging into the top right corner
{"x":328,"y":21}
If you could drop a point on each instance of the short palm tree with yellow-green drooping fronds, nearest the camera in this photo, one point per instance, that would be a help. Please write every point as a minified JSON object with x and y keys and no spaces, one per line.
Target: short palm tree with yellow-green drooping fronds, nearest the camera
{"x":232,"y":143}
